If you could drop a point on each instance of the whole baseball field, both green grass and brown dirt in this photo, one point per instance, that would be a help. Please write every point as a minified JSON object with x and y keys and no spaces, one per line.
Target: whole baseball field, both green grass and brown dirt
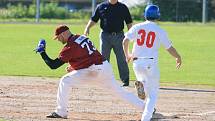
{"x":28,"y":87}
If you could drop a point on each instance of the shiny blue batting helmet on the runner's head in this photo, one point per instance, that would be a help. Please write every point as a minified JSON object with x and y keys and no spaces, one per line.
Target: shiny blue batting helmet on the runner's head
{"x":152,"y":12}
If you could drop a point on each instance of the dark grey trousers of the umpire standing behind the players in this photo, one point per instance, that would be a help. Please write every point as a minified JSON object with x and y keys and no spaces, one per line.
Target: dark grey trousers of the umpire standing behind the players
{"x":114,"y":40}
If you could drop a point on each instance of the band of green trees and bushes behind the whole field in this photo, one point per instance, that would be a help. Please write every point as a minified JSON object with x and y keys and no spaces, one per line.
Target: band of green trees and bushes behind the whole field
{"x":171,"y":10}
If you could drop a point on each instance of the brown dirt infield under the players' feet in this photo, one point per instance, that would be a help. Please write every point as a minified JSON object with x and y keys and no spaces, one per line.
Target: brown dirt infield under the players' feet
{"x":31,"y":98}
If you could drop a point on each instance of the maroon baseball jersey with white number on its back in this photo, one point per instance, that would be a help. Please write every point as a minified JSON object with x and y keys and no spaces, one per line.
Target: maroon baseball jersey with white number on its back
{"x":80,"y":53}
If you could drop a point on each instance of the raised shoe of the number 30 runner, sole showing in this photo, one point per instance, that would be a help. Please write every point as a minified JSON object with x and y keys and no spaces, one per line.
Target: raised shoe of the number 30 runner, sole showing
{"x":140,"y":90}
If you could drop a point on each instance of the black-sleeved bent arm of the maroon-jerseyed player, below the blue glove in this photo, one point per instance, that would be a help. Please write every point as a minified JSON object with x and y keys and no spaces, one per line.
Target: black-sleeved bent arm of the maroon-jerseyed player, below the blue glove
{"x":53,"y":64}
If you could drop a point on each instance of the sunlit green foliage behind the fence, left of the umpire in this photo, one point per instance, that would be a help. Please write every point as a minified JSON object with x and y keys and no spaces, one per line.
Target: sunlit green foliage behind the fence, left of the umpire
{"x":47,"y":10}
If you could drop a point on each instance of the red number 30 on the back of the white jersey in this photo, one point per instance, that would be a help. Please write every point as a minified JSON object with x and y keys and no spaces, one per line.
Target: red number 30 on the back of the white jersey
{"x":150,"y":38}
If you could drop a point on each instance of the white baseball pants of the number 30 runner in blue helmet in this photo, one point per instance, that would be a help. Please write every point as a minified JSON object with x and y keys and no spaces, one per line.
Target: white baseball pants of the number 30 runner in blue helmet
{"x":146,"y":71}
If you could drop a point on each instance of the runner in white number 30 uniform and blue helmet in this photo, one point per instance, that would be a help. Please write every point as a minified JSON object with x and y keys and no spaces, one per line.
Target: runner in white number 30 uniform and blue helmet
{"x":147,"y":37}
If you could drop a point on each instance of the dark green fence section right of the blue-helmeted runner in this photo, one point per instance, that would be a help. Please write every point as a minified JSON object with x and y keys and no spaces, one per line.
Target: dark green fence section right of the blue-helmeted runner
{"x":186,"y":10}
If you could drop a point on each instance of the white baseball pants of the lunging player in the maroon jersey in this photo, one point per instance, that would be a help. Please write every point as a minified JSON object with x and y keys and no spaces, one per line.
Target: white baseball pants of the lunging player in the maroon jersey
{"x":101,"y":75}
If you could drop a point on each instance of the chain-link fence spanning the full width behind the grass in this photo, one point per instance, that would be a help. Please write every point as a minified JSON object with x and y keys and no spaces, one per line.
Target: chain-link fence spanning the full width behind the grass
{"x":171,"y":10}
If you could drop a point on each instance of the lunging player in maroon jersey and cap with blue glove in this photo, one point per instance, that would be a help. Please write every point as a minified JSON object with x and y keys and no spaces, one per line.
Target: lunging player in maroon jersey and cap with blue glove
{"x":87,"y":65}
